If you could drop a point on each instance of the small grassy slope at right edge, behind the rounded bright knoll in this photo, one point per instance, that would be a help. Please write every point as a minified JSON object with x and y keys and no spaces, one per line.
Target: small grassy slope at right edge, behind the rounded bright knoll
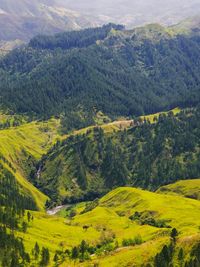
{"x":186,"y":188}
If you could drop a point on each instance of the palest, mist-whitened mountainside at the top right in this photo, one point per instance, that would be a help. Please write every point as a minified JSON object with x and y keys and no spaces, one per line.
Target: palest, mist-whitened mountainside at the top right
{"x":133,"y":12}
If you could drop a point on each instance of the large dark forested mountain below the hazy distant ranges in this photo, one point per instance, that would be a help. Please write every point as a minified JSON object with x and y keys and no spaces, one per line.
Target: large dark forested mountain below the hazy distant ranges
{"x":106,"y":69}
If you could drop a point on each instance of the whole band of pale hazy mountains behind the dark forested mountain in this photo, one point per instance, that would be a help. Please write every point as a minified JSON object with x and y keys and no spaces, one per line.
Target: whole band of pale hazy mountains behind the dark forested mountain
{"x":21,"y":20}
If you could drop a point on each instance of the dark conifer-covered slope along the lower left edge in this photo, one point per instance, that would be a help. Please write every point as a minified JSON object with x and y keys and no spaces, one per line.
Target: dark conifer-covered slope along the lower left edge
{"x":14,"y":218}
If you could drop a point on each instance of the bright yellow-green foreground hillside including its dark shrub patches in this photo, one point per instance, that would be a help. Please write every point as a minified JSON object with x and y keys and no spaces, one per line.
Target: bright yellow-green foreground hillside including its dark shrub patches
{"x":122,"y":215}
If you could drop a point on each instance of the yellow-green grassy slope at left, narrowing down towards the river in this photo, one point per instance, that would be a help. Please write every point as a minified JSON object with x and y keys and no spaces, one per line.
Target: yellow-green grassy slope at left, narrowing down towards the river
{"x":23,"y":144}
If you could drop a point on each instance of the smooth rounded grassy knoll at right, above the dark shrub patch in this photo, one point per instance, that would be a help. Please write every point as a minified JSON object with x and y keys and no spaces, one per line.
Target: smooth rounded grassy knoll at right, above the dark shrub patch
{"x":182,"y":212}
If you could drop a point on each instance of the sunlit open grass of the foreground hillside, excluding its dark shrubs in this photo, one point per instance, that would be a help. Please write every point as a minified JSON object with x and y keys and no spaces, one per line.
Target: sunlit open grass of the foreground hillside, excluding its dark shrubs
{"x":113,"y":214}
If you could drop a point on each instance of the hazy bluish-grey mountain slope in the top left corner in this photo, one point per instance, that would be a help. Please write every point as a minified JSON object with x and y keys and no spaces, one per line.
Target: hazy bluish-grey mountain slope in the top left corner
{"x":24,"y":19}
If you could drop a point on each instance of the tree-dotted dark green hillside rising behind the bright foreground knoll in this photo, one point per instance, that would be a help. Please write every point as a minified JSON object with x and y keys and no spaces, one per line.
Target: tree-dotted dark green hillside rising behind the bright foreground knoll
{"x":85,"y":166}
